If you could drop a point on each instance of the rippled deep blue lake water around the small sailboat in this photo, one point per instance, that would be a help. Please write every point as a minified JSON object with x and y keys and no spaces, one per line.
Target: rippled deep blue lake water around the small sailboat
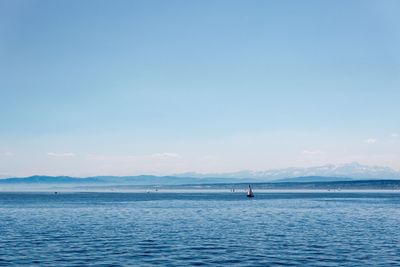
{"x":181,"y":229}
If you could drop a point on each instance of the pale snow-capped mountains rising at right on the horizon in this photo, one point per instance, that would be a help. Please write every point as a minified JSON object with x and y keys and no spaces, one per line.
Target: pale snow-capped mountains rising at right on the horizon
{"x":348,"y":170}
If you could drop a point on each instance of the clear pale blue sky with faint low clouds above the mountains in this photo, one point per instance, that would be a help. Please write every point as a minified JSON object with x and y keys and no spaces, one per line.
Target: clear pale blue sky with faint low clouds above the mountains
{"x":163,"y":87}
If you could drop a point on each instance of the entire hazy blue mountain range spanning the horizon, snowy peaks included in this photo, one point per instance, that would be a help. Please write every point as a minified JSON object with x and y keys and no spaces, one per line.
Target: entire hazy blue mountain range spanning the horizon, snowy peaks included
{"x":326,"y":173}
